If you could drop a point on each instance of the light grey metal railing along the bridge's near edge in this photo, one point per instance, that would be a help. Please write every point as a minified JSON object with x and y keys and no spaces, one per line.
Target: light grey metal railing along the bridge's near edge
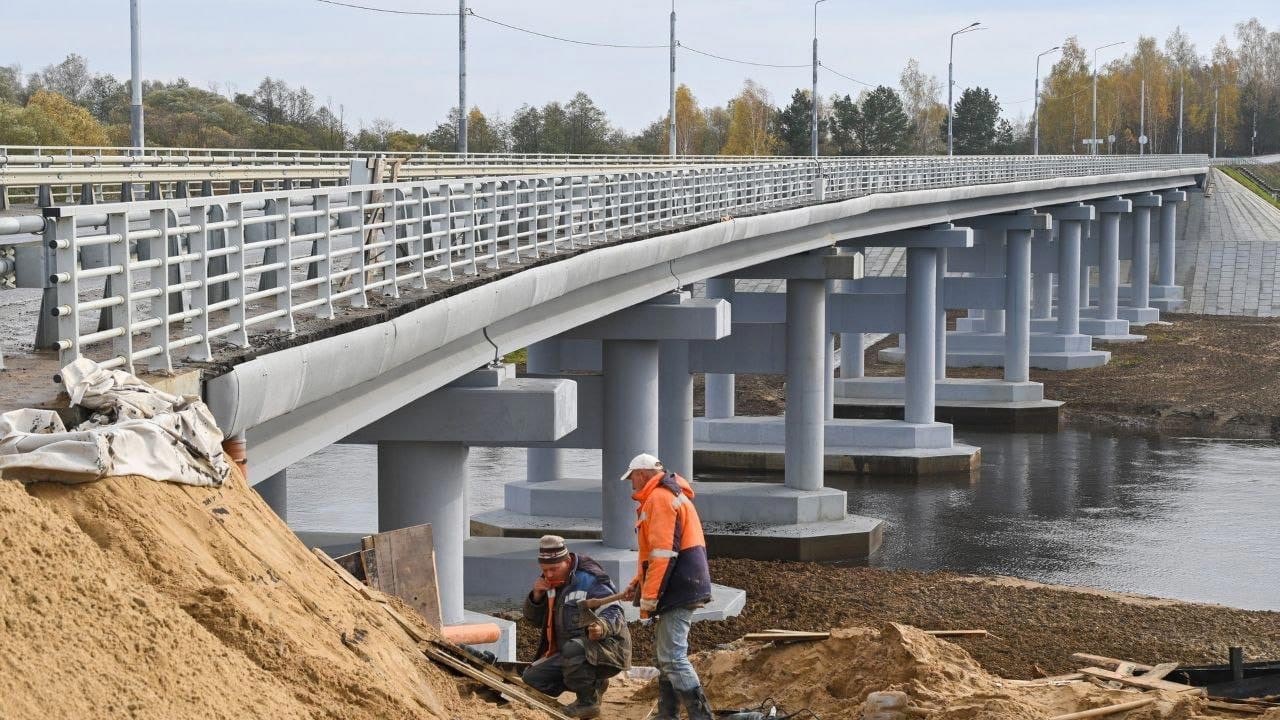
{"x":184,"y":277}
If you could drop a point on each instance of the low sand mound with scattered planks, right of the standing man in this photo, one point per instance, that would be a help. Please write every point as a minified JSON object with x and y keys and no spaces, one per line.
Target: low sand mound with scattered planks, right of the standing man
{"x":833,"y":678}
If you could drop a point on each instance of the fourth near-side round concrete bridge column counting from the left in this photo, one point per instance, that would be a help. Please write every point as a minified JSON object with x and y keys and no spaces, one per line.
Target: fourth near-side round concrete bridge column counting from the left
{"x":922,"y":266}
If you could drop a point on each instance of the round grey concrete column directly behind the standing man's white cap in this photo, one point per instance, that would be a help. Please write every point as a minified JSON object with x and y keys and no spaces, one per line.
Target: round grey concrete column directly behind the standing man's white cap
{"x":630,"y":427}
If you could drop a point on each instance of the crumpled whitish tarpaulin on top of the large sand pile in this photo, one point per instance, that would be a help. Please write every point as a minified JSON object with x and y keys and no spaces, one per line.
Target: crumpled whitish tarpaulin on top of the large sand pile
{"x":135,"y":430}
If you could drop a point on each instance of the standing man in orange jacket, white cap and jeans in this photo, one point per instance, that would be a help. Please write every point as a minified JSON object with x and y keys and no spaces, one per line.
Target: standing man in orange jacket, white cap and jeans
{"x":671,"y":582}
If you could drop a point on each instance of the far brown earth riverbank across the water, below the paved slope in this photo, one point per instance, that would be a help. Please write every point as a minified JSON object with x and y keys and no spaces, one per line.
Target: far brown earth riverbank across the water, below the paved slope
{"x":1214,"y":376}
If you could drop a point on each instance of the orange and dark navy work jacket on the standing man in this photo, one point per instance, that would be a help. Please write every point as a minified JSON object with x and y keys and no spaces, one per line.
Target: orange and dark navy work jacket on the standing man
{"x":674,"y":569}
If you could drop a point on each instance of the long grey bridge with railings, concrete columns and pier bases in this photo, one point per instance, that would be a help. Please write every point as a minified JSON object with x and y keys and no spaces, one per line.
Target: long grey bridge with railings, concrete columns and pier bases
{"x":380,"y":313}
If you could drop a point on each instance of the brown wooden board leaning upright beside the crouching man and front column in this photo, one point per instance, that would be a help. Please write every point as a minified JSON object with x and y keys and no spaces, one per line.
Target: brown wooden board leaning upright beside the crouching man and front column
{"x":405,"y":567}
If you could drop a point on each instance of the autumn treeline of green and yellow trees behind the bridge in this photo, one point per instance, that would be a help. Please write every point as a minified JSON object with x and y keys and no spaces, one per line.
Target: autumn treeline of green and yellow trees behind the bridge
{"x":67,"y":104}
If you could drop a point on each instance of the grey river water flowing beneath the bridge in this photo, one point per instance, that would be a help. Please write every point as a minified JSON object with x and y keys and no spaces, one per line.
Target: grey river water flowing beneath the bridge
{"x":1185,"y":518}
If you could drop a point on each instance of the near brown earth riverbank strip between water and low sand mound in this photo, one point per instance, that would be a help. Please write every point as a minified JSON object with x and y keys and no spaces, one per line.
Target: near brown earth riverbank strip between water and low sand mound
{"x":1035,"y":628}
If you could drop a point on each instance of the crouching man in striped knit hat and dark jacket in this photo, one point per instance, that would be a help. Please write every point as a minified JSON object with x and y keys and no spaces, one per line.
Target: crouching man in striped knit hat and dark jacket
{"x":580,"y":649}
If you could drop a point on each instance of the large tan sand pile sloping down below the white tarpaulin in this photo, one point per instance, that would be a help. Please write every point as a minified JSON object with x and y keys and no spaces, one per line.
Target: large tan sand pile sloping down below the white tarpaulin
{"x":135,"y":599}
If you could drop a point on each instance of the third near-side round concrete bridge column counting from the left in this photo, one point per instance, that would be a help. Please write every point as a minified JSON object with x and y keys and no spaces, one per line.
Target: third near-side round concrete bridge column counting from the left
{"x":807,"y":343}
